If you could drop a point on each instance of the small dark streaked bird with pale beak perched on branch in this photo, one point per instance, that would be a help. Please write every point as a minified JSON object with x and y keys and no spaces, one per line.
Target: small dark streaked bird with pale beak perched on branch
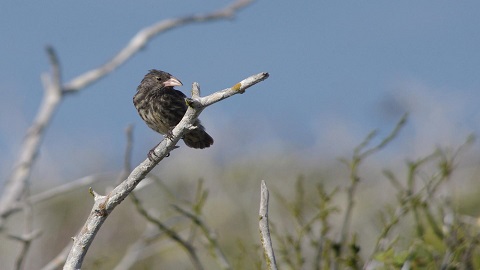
{"x":162,"y":107}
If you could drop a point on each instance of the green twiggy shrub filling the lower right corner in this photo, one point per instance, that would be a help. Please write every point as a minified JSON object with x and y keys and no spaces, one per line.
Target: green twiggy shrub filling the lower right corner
{"x":433,"y":234}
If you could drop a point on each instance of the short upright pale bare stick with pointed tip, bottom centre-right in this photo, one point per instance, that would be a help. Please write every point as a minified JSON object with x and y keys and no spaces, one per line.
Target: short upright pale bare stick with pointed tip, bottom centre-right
{"x":264,"y":229}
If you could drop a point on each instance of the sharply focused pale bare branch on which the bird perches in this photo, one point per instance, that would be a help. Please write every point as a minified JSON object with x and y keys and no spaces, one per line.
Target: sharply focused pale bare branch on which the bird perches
{"x":104,"y":205}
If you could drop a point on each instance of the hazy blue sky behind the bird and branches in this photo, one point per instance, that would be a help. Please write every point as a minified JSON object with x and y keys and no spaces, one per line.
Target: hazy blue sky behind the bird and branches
{"x":338,"y":70}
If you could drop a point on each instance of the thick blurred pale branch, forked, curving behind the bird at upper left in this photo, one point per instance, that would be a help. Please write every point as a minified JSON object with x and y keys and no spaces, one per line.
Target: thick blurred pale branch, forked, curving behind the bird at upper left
{"x":15,"y":186}
